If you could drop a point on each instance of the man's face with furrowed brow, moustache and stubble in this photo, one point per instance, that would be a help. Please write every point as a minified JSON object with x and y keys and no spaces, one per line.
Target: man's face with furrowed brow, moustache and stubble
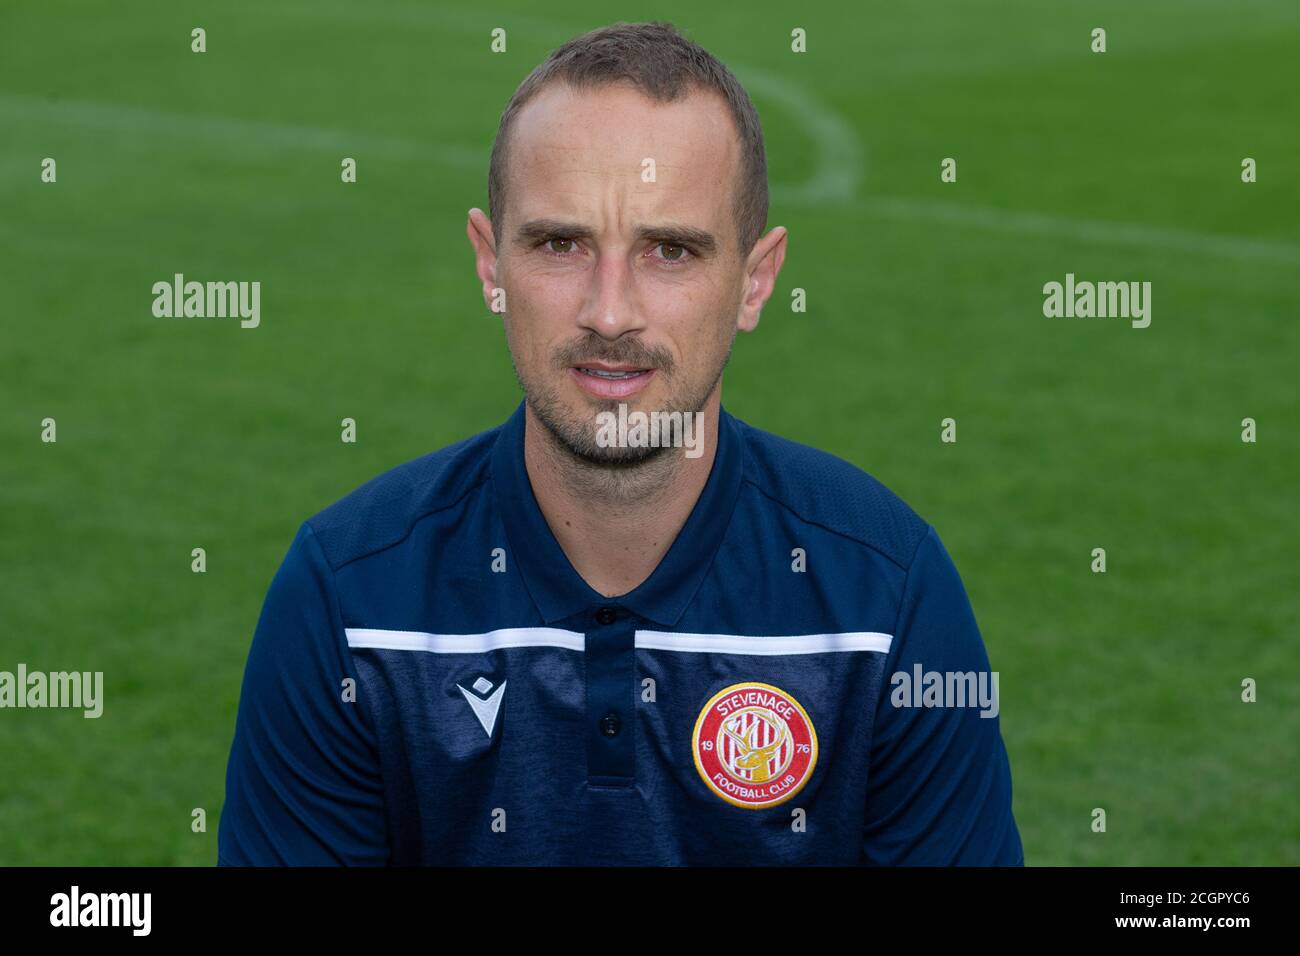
{"x":619,"y":289}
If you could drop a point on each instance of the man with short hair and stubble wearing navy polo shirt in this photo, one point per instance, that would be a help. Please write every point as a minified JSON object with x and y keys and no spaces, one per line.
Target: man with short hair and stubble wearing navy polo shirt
{"x":562,"y":642}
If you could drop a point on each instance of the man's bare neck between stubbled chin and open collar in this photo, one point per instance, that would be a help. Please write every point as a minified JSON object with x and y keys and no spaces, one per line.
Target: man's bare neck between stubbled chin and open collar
{"x":616,"y":525}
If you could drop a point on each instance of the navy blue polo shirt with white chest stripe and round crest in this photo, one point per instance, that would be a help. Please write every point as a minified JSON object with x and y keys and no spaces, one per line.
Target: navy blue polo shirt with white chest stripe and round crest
{"x":431,"y":681}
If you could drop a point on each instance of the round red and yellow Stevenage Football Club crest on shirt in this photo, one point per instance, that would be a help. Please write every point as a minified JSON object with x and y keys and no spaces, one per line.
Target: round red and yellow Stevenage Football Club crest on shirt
{"x":755,"y":746}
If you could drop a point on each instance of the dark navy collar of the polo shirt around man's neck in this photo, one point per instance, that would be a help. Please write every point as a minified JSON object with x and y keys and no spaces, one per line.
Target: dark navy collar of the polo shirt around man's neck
{"x":558,"y":591}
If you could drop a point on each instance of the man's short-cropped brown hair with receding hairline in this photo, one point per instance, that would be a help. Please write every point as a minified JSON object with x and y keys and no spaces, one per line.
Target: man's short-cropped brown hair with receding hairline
{"x":666,"y":67}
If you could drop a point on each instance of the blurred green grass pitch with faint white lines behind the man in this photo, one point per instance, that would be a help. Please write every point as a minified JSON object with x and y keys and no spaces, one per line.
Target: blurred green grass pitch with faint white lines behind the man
{"x":1120,"y":691}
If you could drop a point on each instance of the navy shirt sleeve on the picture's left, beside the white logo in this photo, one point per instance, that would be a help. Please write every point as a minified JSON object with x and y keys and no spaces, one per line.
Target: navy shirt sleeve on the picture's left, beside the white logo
{"x":304,"y":785}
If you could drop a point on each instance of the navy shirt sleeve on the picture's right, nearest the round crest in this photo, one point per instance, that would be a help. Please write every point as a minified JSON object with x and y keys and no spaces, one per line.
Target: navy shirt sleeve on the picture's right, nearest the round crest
{"x":939,"y":790}
